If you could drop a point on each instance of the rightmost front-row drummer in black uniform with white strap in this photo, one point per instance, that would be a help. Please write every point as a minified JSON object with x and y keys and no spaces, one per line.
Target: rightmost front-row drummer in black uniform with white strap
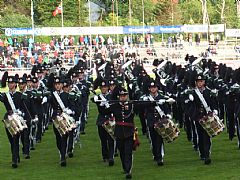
{"x":204,"y":140}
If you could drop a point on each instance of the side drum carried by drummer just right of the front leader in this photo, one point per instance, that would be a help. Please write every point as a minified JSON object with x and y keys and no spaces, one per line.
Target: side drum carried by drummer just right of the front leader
{"x":167,"y":129}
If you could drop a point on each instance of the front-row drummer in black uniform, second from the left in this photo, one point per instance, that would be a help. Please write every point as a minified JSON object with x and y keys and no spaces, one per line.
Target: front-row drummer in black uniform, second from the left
{"x":58,"y":110}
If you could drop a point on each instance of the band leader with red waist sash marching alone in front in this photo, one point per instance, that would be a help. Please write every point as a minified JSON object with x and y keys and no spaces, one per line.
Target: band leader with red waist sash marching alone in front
{"x":123,"y":111}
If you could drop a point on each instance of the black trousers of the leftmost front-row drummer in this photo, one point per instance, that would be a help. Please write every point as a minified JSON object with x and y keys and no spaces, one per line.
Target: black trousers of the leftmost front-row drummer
{"x":14,"y":142}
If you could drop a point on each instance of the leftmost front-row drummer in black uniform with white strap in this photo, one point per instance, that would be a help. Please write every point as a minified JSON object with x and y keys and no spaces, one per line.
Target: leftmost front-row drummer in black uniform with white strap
{"x":16,"y":97}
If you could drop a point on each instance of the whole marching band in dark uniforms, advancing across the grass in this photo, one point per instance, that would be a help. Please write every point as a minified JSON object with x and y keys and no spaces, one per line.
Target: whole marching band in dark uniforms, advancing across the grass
{"x":196,"y":96}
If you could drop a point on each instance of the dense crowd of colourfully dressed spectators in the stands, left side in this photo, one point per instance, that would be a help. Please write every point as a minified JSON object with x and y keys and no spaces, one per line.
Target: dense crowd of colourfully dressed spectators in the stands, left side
{"x":19,"y":52}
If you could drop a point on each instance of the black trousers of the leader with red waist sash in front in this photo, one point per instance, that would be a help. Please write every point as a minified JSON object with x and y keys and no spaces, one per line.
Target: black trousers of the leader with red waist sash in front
{"x":125,"y":148}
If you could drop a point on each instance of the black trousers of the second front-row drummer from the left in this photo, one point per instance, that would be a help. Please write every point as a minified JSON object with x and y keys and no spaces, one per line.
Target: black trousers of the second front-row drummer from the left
{"x":61,"y":144}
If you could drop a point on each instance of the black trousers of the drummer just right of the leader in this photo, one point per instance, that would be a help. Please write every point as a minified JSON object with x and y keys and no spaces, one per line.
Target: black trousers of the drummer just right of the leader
{"x":157,"y":144}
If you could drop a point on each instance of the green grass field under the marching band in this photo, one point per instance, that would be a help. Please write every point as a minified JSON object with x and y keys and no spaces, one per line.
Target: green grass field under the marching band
{"x":180,"y":161}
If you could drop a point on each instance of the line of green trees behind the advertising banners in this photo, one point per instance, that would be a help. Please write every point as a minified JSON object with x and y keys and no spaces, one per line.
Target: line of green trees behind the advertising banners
{"x":17,"y":13}
